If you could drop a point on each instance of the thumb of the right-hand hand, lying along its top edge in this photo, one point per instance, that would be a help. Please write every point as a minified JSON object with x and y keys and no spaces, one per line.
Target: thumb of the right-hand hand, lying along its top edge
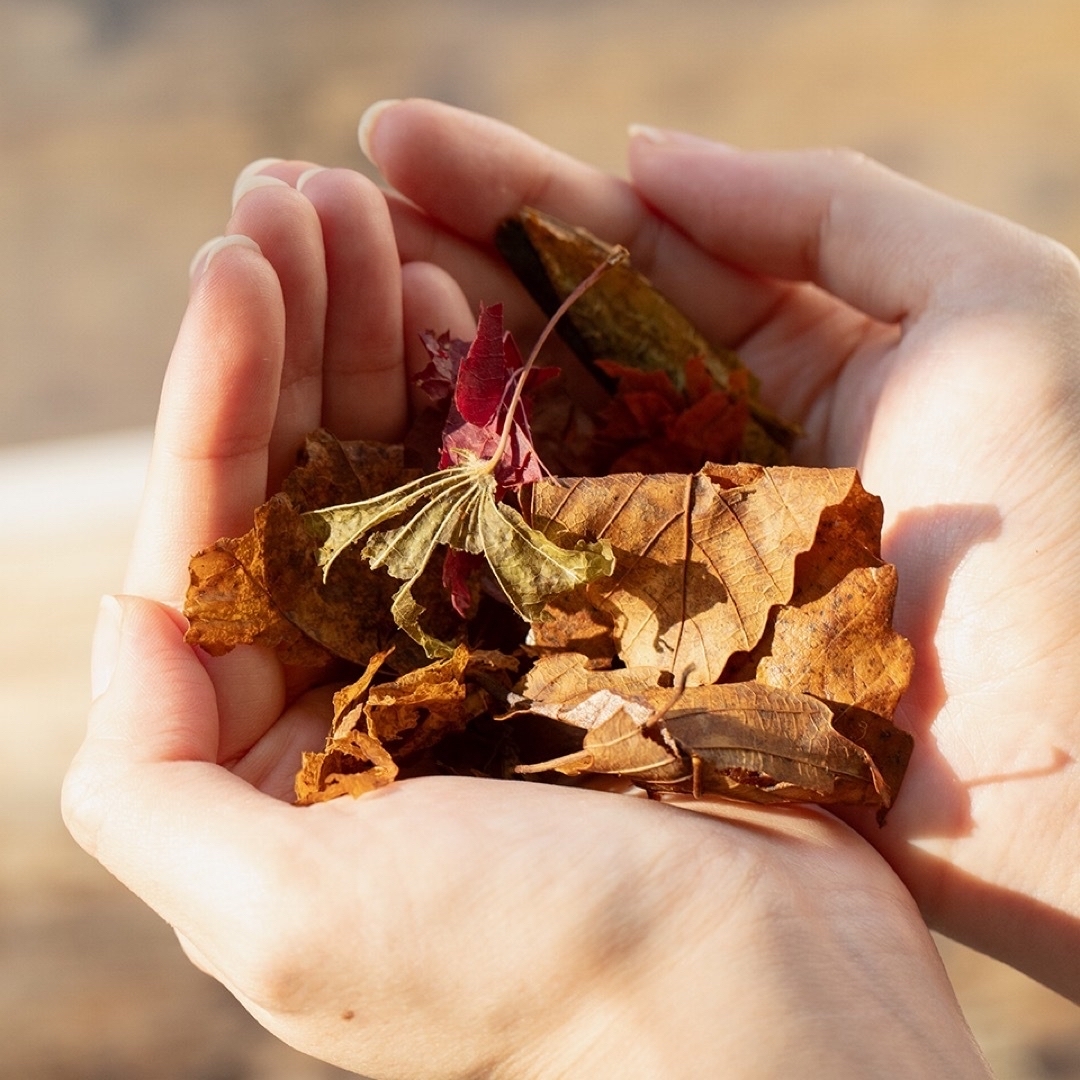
{"x":876,"y":240}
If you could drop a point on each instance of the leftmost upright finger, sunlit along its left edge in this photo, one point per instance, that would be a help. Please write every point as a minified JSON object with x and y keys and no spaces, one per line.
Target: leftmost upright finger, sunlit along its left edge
{"x":219,"y":404}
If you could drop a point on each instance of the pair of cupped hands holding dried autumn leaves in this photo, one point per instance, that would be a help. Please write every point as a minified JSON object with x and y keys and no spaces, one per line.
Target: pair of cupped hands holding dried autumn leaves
{"x":449,"y":927}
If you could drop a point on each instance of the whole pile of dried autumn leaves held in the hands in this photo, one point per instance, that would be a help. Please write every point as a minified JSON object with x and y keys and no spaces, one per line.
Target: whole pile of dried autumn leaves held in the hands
{"x":677,"y":609}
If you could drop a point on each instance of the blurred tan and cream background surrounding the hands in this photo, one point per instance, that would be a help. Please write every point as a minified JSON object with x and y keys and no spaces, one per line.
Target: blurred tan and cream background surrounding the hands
{"x":123,"y":127}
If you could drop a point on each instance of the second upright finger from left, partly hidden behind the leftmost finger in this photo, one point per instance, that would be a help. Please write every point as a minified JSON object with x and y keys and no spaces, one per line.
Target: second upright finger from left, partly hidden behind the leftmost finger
{"x":287,"y":228}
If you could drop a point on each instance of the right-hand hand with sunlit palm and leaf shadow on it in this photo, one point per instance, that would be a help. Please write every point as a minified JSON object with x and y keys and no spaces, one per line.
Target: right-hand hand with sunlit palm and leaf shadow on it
{"x":933,"y":346}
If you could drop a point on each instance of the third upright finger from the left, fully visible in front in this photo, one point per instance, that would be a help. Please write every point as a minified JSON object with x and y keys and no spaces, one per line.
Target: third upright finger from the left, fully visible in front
{"x":364,"y":394}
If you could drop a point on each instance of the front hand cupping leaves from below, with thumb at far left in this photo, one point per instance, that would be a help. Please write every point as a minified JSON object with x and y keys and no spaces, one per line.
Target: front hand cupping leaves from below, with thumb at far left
{"x":443,"y":927}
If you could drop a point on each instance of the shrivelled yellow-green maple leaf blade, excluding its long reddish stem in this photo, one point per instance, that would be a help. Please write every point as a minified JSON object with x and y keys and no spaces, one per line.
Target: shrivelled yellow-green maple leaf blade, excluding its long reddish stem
{"x":457,"y":508}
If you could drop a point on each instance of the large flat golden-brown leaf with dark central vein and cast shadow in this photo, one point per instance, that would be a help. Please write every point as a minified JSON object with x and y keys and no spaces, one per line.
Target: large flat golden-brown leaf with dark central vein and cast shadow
{"x":700,"y":560}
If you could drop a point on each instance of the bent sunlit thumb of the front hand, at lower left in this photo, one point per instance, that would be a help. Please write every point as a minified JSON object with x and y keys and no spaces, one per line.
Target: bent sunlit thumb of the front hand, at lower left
{"x":145,"y":796}
